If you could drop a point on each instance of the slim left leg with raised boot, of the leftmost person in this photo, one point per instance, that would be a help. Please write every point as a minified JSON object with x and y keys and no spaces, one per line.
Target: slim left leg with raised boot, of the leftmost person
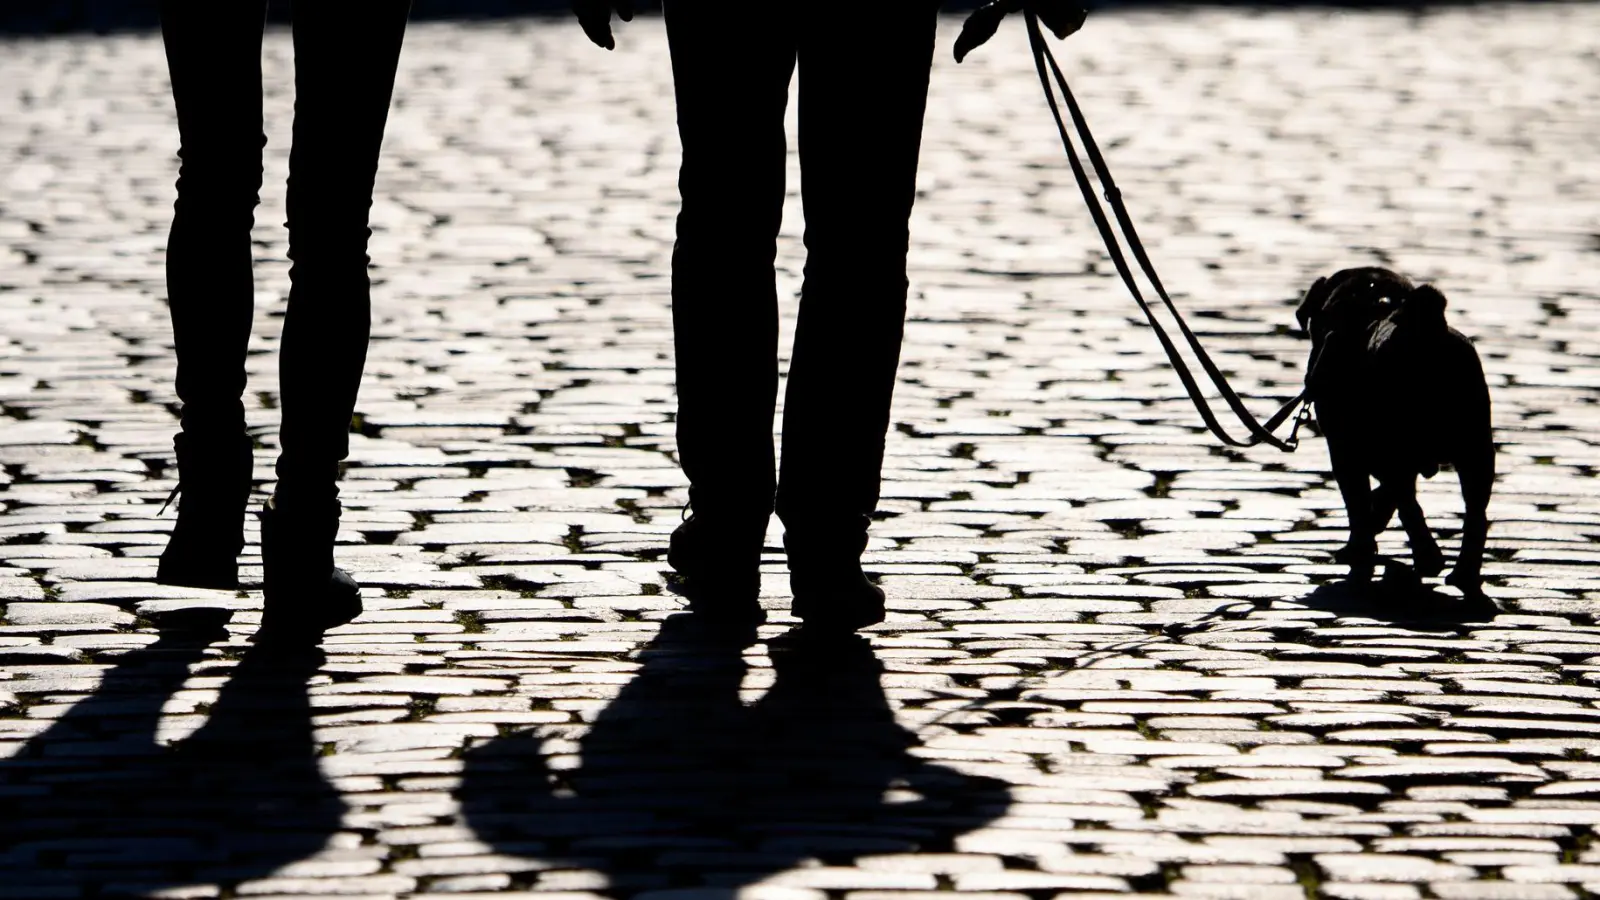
{"x":214,"y":54}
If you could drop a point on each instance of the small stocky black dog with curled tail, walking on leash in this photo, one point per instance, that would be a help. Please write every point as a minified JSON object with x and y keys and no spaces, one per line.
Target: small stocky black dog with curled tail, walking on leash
{"x":1399,"y":395}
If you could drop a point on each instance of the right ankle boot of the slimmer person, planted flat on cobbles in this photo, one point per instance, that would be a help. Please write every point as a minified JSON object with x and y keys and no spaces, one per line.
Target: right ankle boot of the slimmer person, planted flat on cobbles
{"x":305,"y":592}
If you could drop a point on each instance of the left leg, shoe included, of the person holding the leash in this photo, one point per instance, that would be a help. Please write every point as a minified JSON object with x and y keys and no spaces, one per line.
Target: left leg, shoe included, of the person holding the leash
{"x":732,"y":66}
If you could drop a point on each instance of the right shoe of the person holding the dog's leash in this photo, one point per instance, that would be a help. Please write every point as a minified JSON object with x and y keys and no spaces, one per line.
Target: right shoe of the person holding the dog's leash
{"x":831,"y":592}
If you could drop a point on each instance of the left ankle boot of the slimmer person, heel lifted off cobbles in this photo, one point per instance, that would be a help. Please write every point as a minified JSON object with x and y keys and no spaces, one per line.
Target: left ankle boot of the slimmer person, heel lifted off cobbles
{"x":214,"y":478}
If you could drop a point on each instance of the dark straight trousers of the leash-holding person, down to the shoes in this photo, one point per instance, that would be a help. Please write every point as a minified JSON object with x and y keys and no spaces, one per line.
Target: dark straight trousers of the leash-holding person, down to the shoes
{"x":863,"y":89}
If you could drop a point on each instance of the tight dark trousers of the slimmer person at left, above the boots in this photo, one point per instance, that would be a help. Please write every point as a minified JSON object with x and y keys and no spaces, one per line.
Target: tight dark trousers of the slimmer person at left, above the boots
{"x":345,"y":71}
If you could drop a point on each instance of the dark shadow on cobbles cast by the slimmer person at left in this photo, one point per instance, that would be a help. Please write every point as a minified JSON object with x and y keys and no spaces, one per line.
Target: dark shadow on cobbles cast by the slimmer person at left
{"x":95,"y":806}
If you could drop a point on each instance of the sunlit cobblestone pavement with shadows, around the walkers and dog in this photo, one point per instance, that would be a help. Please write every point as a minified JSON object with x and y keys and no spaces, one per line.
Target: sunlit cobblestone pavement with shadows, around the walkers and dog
{"x":1118,"y":656}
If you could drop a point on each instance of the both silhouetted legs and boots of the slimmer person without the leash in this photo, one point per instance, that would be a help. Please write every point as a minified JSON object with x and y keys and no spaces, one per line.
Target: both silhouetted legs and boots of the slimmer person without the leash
{"x":345,"y":70}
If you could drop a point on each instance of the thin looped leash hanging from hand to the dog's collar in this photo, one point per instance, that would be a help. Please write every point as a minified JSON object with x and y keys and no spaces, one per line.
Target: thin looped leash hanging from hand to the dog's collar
{"x":1260,"y":433}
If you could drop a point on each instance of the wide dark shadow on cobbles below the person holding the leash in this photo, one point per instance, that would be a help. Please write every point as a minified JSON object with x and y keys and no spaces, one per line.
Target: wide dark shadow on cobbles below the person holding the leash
{"x":681,"y":784}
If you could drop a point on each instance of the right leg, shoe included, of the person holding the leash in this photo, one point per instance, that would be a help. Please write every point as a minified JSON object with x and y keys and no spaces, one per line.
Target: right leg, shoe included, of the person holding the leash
{"x":863,"y":89}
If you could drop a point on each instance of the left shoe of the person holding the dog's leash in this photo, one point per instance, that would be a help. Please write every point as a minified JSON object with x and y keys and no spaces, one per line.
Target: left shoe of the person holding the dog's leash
{"x":719,"y":568}
